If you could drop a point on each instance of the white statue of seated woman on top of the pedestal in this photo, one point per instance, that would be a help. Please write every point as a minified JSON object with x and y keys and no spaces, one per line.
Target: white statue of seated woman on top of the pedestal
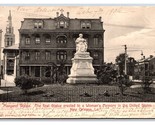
{"x":81,"y":44}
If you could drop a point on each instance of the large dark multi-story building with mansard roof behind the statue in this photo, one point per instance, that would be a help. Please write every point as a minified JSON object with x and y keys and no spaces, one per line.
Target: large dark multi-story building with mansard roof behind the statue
{"x":45,"y":40}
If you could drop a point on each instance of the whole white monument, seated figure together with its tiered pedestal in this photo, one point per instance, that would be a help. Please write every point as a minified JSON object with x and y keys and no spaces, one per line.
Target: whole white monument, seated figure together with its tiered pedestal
{"x":82,"y":70}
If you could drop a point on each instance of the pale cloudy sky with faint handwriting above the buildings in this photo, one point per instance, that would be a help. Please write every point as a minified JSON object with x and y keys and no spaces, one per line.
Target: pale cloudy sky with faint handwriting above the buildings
{"x":130,"y":25}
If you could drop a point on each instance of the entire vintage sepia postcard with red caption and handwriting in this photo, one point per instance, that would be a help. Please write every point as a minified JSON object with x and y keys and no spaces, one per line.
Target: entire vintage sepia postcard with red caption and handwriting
{"x":77,"y":61}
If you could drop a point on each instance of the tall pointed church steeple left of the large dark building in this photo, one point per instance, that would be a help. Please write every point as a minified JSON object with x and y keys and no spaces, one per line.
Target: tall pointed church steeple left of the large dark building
{"x":9,"y":35}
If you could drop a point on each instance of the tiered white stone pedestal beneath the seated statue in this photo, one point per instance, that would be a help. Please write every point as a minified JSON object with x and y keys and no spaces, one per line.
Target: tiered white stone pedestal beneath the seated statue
{"x":82,"y":70}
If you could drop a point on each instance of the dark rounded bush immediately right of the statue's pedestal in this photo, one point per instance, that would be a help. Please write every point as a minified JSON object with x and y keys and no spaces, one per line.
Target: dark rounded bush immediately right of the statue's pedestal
{"x":106,"y":73}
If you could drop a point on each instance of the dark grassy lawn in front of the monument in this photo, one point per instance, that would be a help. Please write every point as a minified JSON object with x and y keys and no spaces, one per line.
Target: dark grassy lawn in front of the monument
{"x":75,"y":93}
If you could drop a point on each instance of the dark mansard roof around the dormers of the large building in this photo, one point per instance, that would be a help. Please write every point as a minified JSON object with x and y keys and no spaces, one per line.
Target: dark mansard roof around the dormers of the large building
{"x":50,"y":23}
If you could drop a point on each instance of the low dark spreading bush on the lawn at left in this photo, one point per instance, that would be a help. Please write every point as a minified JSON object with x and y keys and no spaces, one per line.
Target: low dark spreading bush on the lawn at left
{"x":26,"y":83}
